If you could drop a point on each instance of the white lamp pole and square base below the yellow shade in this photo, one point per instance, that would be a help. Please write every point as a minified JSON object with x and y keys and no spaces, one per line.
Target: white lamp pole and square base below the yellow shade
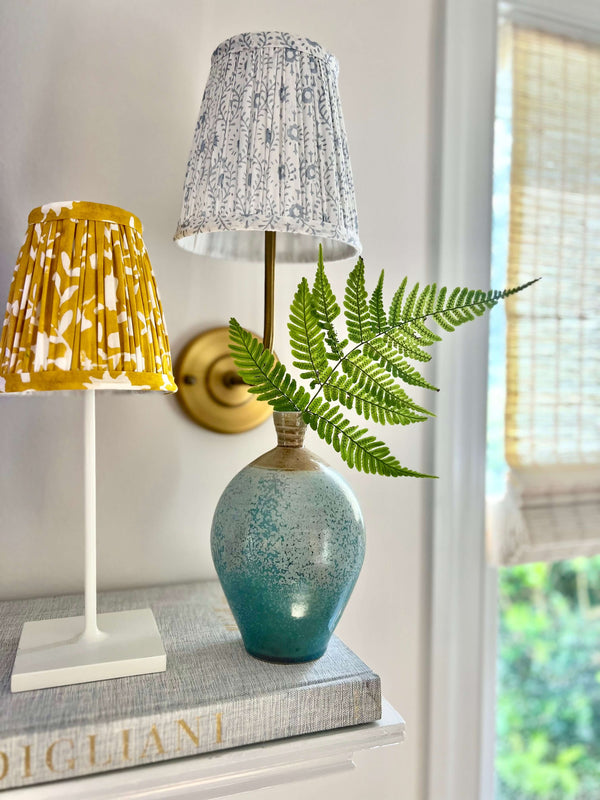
{"x":57,"y":652}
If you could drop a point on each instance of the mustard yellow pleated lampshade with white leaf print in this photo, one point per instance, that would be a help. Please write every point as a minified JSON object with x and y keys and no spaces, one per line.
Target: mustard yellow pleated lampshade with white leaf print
{"x":83,"y":309}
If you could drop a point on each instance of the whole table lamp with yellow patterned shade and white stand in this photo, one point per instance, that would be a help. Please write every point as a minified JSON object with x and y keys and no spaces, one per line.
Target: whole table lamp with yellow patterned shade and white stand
{"x":83,"y":313}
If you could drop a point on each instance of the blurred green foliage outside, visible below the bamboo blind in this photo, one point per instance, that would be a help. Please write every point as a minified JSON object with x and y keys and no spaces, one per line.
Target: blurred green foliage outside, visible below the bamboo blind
{"x":548,"y":715}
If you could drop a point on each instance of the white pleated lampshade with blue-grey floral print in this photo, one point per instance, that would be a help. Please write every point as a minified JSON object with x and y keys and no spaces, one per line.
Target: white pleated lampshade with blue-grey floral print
{"x":270,"y":154}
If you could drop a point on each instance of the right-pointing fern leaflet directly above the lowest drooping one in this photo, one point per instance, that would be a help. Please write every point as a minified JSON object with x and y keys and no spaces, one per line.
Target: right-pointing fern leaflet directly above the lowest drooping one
{"x":343,"y":389}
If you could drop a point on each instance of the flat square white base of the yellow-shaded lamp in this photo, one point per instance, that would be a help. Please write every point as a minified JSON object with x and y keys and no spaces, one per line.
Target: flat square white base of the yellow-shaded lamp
{"x":52,"y":653}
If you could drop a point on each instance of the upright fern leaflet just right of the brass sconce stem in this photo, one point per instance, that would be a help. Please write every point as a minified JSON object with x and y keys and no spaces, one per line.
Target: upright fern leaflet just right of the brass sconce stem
{"x":306,"y":337}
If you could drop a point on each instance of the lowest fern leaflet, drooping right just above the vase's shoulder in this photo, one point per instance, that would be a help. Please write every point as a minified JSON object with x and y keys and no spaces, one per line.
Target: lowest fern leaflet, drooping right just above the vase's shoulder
{"x":356,"y":446}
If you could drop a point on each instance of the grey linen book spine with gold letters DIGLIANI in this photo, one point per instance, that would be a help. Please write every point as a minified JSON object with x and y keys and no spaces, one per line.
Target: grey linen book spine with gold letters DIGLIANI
{"x":43,"y":756}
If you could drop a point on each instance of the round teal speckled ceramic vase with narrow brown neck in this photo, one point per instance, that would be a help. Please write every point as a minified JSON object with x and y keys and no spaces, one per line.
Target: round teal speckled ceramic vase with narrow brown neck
{"x":288,"y":542}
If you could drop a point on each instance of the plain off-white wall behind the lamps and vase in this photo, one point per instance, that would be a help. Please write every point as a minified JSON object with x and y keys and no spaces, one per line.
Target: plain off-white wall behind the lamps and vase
{"x":99,"y":101}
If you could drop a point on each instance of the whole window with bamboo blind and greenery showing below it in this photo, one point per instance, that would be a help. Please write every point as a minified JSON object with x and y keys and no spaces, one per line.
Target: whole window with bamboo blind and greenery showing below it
{"x":547,"y":220}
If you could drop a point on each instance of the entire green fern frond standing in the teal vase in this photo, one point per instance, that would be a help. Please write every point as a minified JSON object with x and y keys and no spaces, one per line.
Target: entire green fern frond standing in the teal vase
{"x":366,"y":378}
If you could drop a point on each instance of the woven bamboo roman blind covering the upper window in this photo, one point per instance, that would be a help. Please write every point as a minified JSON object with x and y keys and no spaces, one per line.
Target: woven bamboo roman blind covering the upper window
{"x":552,"y":508}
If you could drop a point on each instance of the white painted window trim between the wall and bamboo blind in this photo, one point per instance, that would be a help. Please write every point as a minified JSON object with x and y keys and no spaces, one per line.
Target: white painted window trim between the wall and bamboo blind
{"x":463,"y":592}
